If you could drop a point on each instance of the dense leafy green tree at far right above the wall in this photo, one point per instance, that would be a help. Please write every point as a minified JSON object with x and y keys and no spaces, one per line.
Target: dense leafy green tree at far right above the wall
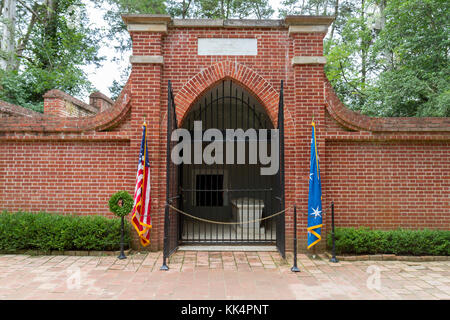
{"x":414,"y":49}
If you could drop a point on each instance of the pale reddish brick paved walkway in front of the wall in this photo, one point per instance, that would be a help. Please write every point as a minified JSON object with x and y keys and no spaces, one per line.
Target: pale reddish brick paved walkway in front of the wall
{"x":218,"y":275}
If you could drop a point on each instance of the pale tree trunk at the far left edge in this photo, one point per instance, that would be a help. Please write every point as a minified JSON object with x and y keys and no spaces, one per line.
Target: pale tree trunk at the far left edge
{"x":8,"y":34}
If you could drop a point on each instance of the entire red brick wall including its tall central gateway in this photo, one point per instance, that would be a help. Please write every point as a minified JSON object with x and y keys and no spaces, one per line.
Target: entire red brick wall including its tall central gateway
{"x":384,"y":173}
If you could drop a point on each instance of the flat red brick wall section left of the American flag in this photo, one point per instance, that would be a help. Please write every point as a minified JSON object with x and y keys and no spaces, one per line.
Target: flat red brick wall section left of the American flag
{"x":63,"y":176}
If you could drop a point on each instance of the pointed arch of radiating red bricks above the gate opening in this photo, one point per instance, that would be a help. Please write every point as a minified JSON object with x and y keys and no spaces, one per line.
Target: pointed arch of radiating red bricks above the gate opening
{"x":243,"y":75}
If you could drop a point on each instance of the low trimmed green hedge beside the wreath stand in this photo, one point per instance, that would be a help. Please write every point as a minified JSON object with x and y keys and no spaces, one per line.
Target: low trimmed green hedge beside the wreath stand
{"x":43,"y":231}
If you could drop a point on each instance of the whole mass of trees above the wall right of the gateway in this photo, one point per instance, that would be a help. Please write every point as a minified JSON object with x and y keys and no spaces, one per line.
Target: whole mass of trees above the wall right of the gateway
{"x":386,"y":58}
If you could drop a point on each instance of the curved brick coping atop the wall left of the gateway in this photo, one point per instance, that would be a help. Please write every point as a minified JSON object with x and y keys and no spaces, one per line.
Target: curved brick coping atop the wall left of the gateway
{"x":52,"y":124}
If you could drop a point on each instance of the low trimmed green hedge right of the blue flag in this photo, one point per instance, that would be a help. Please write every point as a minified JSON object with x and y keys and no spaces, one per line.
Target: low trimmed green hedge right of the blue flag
{"x":400,"y":241}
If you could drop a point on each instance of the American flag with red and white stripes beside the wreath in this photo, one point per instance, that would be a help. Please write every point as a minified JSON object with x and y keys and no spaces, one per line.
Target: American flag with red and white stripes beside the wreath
{"x":141,"y":219}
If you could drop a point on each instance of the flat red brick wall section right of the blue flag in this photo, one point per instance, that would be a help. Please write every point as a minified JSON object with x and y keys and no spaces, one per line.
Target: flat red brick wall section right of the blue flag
{"x":387,"y":185}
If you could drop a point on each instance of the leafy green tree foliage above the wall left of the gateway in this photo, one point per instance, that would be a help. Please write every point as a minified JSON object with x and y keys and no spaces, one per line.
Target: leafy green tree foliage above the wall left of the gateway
{"x":52,"y":46}
